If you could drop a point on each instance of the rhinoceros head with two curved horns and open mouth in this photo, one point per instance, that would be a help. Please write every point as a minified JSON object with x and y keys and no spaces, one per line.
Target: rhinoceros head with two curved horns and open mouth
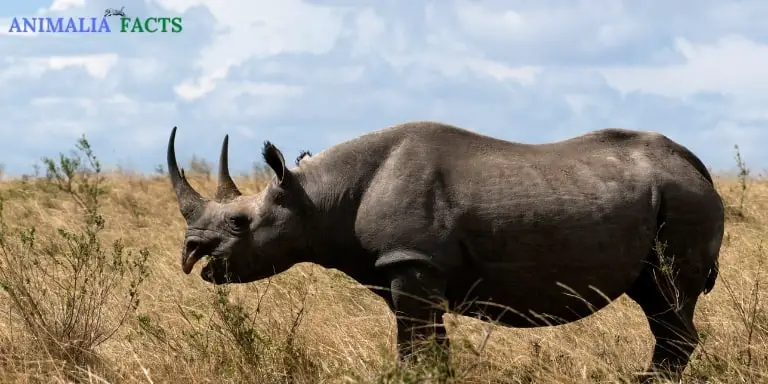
{"x":246,"y":238}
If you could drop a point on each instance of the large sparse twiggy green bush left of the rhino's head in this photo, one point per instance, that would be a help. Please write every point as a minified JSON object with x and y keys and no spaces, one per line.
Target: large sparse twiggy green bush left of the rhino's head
{"x":70,"y":292}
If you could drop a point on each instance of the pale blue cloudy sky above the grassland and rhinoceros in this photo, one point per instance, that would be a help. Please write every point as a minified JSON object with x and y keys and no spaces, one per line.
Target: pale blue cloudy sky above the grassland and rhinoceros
{"x":309,"y":74}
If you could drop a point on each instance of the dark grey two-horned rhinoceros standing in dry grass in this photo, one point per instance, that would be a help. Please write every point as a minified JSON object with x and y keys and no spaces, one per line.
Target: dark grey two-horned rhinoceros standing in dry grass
{"x":439,"y":217}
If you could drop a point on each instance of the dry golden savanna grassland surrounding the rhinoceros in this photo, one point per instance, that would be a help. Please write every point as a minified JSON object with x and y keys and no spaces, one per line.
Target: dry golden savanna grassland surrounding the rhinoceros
{"x":91,"y":291}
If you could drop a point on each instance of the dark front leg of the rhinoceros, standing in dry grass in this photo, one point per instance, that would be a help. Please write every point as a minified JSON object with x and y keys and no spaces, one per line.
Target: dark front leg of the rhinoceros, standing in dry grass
{"x":418,"y":302}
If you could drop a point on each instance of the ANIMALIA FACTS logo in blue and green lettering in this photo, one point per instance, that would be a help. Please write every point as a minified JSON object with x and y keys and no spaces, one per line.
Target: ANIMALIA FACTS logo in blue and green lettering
{"x":128,"y":24}
